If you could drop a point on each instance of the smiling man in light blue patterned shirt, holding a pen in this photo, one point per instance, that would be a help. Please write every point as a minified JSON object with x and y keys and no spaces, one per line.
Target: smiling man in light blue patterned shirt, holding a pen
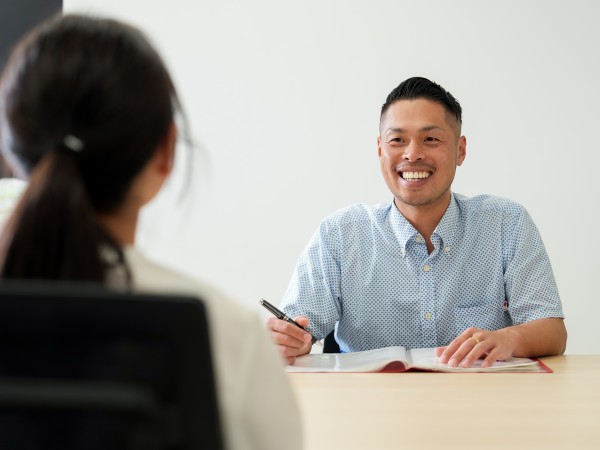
{"x":432,"y":268}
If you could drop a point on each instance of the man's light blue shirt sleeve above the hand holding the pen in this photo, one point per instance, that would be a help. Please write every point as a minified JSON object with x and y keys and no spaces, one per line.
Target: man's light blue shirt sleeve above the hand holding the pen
{"x":315,"y":286}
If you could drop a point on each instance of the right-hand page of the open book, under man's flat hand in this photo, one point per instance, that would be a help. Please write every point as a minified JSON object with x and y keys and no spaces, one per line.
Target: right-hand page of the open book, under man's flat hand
{"x":424,"y":358}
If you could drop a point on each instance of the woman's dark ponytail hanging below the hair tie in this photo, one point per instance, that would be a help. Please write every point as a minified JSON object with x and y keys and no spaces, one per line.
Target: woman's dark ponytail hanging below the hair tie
{"x":54,"y":232}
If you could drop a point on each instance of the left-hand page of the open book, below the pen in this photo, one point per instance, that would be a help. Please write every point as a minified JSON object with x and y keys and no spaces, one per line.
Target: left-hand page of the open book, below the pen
{"x":366,"y":361}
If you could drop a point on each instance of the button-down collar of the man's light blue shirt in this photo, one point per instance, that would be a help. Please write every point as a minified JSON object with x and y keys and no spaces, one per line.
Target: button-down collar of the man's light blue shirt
{"x":403,"y":231}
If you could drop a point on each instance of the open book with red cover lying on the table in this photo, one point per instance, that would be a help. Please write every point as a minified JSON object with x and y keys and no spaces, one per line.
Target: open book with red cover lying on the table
{"x":399,"y":359}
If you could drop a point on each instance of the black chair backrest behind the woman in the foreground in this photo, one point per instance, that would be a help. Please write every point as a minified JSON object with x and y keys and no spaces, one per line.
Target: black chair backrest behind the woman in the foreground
{"x":82,"y":367}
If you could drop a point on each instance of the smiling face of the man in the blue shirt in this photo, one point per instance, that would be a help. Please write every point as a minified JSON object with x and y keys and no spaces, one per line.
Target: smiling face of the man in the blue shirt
{"x":419,"y":149}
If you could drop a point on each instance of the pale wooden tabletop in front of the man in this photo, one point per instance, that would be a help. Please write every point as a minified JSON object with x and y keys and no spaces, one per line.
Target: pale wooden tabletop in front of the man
{"x":419,"y":410}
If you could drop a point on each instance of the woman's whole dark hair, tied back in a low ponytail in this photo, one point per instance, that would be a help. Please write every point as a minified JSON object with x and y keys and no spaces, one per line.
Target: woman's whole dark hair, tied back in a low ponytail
{"x":84,"y":104}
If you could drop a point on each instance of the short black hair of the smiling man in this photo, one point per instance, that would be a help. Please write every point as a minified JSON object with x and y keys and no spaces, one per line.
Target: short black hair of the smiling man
{"x":418,"y":87}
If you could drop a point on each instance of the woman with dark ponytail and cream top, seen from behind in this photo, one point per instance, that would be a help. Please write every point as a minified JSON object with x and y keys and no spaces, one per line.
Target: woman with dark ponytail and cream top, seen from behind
{"x":87,"y":112}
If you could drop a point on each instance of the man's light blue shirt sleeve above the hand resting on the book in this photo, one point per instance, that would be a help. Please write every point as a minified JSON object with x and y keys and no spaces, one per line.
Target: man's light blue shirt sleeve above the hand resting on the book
{"x":531,"y":289}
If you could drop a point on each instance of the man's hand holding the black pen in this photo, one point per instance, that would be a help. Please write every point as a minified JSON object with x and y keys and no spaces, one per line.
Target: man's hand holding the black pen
{"x":291,"y":340}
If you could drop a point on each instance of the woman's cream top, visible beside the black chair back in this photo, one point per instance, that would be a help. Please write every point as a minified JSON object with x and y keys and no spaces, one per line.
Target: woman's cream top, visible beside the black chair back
{"x":258,"y":408}
